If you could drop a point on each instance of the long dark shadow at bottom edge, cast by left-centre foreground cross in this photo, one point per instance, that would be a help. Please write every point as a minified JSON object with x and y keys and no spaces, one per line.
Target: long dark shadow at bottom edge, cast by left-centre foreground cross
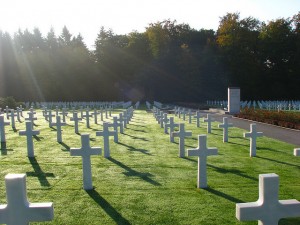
{"x":108,"y":208}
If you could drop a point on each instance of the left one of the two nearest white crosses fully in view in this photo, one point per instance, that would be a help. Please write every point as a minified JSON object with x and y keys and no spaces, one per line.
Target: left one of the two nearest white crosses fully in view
{"x":85,"y":152}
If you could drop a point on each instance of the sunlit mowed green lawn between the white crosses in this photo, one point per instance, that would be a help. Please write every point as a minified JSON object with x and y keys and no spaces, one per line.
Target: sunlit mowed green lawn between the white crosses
{"x":144,"y":181}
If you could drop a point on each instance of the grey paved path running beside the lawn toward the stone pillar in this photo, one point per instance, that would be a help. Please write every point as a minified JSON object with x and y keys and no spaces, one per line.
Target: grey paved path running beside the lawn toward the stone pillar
{"x":279,"y":133}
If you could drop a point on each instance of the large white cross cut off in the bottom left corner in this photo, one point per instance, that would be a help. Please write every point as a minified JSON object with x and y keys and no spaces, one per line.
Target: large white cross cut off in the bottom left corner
{"x":18,"y":210}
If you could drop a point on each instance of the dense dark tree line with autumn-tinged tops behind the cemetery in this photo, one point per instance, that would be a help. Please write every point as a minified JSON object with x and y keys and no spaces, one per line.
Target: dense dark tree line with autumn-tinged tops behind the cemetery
{"x":169,"y":62}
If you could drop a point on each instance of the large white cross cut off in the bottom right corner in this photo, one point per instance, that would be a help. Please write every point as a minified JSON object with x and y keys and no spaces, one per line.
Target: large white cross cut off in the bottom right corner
{"x":268,"y":210}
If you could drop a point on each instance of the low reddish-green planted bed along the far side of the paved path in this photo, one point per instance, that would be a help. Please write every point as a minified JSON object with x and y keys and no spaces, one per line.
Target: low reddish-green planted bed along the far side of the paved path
{"x":281,"y":118}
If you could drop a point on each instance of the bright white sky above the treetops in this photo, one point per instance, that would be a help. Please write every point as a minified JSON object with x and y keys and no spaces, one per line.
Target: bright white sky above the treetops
{"x":124,"y":16}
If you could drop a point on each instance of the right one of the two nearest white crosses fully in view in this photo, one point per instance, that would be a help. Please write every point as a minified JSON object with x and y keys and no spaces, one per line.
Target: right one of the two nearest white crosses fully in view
{"x":202,"y":152}
